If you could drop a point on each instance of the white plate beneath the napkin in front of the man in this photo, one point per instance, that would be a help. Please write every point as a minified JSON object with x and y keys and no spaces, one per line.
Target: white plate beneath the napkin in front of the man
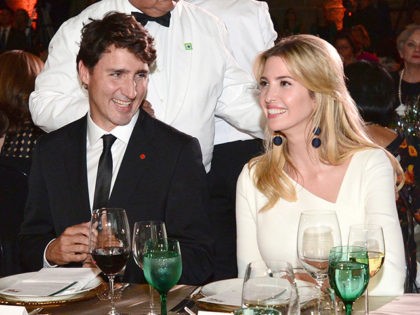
{"x":8,"y":281}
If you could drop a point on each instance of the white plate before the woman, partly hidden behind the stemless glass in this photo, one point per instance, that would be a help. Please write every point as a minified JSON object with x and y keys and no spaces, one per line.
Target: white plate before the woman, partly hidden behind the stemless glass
{"x":307,"y":290}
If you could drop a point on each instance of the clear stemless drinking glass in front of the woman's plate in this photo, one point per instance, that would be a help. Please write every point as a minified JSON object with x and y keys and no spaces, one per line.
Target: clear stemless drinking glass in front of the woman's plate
{"x":270,"y":284}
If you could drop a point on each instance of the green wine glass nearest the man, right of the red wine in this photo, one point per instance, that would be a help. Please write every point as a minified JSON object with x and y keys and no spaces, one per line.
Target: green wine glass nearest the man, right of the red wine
{"x":162,"y":266}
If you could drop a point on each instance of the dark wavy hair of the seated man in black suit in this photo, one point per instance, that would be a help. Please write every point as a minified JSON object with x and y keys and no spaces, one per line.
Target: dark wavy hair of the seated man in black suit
{"x":115,"y":29}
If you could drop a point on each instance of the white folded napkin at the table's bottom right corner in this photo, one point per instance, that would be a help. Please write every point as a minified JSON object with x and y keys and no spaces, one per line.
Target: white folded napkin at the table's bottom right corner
{"x":407,"y":304}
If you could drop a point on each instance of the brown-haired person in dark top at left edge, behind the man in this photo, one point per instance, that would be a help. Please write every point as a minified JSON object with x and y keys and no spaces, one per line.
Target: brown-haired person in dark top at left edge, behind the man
{"x":18,"y":136}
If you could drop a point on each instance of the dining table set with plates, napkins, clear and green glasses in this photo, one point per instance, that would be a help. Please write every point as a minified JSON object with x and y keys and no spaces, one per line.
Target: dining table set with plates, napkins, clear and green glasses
{"x":333,"y":278}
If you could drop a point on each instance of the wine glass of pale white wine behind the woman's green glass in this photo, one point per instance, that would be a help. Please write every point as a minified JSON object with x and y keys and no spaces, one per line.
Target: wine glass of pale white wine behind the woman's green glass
{"x":370,"y":236}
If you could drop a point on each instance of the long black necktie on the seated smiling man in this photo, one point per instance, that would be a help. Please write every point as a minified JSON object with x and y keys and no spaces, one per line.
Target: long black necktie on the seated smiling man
{"x":104,"y":176}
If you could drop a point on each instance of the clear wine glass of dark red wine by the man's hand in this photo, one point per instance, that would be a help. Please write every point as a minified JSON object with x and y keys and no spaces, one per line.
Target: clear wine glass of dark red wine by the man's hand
{"x":109,"y":244}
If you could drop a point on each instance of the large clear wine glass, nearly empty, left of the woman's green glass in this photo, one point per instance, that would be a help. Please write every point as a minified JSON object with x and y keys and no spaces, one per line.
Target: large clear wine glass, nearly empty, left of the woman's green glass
{"x":318,"y":232}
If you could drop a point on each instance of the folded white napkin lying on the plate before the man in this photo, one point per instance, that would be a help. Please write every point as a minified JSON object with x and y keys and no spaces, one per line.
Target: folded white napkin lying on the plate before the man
{"x":52,"y":282}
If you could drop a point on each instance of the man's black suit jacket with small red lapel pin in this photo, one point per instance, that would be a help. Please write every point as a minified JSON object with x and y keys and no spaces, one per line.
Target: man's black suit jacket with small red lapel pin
{"x":161,"y":178}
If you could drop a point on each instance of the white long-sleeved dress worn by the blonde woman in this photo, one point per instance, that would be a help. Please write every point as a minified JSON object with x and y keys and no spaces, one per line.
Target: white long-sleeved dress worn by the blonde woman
{"x":366,"y":195}
